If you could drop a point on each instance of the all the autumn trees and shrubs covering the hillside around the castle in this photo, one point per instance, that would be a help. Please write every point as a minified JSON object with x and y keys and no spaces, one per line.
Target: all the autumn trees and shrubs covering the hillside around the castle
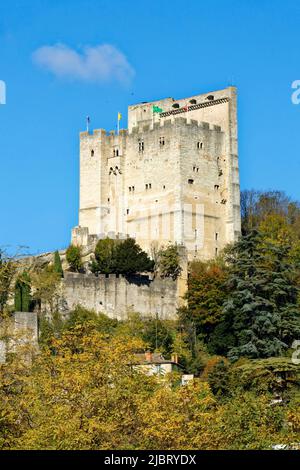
{"x":235,"y":334}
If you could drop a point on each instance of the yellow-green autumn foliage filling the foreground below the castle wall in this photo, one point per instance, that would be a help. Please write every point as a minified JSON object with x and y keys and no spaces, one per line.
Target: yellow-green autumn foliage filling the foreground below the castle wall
{"x":82,"y":391}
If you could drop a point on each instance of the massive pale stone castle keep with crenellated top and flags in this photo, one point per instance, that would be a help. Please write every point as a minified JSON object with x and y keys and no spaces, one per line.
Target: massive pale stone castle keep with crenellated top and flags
{"x":171,"y":177}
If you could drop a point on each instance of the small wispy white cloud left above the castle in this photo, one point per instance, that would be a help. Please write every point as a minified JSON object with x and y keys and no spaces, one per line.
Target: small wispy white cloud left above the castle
{"x":100,"y":63}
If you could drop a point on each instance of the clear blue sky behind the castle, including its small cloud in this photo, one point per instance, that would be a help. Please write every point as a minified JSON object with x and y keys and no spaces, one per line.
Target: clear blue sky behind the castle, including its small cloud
{"x":153,"y":49}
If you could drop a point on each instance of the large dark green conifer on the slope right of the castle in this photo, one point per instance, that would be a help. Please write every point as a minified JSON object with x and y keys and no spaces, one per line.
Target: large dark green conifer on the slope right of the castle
{"x":261,"y":310}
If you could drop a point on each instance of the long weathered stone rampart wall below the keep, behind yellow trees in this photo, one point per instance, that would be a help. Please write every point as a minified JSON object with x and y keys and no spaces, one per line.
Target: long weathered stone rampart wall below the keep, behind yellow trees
{"x":116,"y":296}
